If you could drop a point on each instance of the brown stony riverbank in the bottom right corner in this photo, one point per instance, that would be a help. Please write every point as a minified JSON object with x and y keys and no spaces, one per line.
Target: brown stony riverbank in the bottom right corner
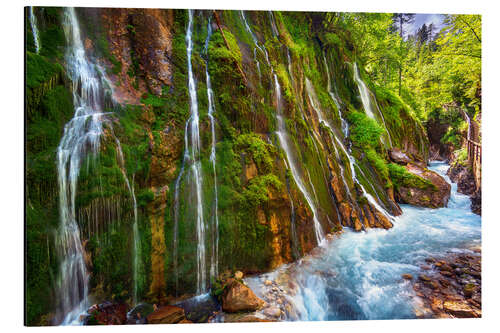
{"x":450,"y":286}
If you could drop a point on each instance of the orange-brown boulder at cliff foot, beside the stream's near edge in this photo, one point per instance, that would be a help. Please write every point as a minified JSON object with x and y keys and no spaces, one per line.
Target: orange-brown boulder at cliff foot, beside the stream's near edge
{"x":238,"y":297}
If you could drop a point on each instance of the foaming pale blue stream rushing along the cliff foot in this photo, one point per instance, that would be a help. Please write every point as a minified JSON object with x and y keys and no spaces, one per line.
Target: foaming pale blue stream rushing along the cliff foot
{"x":358,"y":275}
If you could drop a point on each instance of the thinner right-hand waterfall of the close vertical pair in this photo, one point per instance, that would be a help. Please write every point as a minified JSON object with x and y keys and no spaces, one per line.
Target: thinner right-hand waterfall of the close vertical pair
{"x":214,"y":263}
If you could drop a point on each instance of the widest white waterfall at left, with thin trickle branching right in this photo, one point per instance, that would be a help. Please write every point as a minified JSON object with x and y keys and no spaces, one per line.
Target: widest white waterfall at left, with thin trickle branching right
{"x":81,"y":137}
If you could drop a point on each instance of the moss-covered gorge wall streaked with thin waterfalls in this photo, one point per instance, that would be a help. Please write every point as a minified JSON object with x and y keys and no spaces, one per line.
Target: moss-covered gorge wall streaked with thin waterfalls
{"x":290,"y":141}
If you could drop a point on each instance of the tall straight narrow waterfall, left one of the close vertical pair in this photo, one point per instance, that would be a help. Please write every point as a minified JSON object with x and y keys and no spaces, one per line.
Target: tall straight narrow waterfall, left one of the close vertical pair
{"x":195,"y":146}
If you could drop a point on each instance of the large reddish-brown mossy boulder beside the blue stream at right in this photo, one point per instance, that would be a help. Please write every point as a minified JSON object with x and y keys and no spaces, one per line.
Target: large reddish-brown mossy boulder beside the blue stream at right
{"x":432,"y":192}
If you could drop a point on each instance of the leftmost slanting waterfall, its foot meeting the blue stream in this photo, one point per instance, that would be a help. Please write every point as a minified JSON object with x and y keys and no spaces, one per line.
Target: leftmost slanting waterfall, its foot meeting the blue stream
{"x":285,"y":144}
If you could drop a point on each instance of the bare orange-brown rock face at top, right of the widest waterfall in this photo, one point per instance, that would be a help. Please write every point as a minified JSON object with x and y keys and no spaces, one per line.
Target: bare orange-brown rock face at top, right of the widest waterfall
{"x":138,"y":39}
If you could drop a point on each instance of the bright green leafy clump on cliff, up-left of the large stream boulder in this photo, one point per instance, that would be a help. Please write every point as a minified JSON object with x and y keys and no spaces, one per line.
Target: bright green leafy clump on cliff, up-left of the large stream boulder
{"x":364,"y":131}
